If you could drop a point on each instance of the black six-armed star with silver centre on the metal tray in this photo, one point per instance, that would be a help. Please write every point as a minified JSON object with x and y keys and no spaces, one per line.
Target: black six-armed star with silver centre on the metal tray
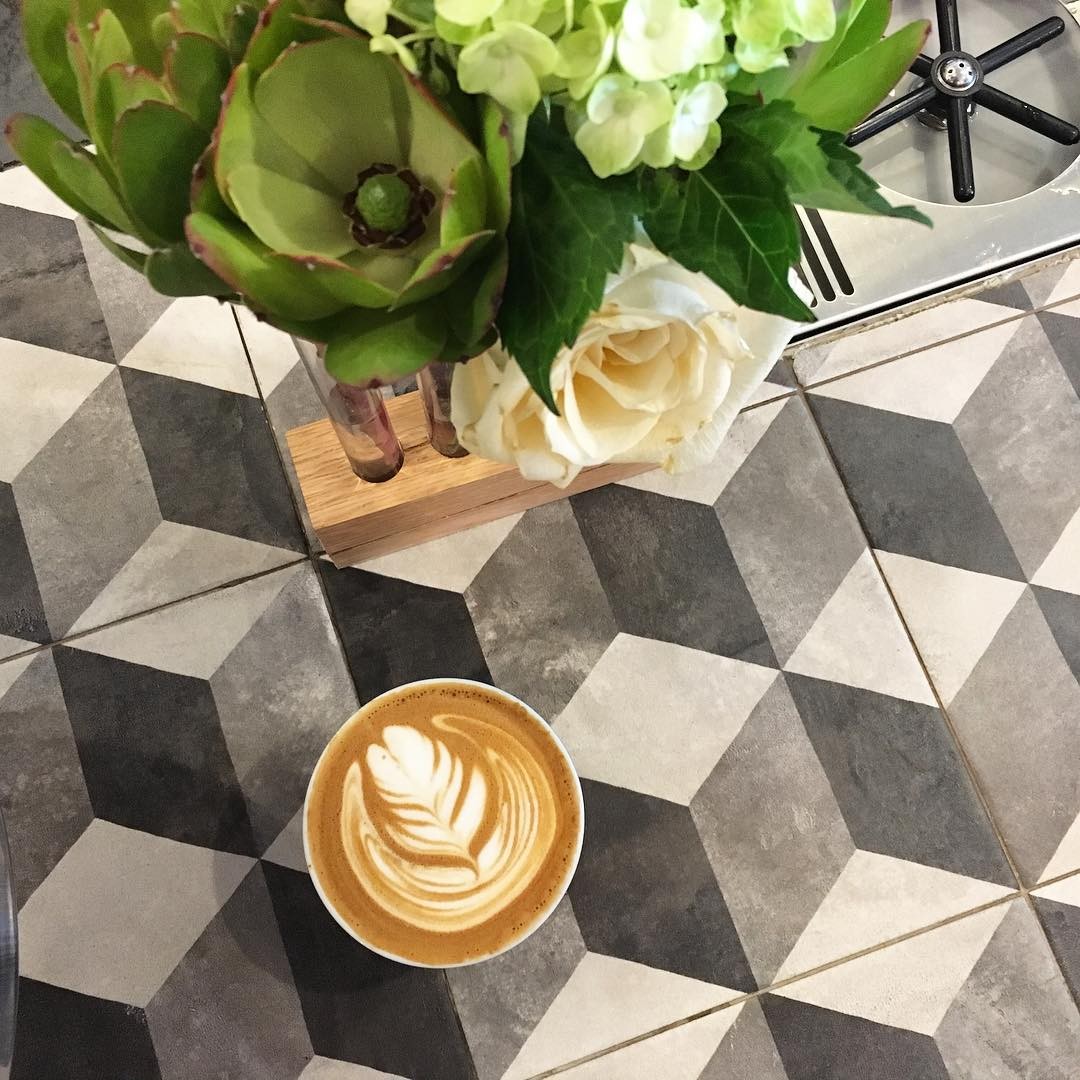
{"x":954,"y":80}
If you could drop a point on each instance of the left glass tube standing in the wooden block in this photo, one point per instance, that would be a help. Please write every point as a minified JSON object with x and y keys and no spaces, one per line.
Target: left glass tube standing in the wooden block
{"x":359,"y":417}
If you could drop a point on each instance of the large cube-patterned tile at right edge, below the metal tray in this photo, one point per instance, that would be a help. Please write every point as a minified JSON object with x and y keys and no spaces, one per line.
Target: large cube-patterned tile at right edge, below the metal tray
{"x":965,"y":470}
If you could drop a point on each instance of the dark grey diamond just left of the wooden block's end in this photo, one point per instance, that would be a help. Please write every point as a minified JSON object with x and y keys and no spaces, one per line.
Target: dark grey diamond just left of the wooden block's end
{"x":212,"y":460}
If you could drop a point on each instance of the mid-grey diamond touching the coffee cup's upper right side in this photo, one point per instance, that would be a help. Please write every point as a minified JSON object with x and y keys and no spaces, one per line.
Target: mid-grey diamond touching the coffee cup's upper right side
{"x":543,"y":569}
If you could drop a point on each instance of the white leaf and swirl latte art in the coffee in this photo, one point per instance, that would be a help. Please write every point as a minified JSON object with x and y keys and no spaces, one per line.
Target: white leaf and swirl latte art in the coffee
{"x":447,"y":827}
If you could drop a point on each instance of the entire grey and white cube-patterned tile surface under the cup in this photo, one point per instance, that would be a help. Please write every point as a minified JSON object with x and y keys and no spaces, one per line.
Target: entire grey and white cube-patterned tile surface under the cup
{"x":804,"y":858}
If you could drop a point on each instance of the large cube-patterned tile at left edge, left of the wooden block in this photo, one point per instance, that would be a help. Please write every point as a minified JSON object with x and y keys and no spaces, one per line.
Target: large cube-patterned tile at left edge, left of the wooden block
{"x":103,"y":379}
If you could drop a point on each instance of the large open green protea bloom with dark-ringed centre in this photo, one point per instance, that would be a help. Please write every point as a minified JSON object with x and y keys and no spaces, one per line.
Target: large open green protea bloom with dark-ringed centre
{"x":349,"y":207}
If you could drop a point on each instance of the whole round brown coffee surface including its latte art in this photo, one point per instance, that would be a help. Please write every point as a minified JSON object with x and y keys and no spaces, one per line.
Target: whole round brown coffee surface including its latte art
{"x":443,"y":823}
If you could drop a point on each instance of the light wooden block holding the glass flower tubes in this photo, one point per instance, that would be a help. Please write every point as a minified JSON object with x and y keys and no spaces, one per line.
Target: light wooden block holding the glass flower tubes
{"x":433,"y":496}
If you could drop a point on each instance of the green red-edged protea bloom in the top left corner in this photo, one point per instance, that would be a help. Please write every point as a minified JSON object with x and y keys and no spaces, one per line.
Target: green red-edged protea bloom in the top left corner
{"x":143,"y":80}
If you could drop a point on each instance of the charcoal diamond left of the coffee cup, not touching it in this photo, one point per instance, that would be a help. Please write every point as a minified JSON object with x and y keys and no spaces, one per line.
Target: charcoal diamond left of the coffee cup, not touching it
{"x":153,"y":752}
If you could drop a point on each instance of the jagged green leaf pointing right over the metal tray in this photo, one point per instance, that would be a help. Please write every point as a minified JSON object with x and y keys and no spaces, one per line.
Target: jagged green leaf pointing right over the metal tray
{"x":820,"y":170}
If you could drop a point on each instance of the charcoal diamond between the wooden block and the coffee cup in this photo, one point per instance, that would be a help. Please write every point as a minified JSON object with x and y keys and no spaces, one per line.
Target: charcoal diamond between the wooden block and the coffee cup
{"x":396,"y":632}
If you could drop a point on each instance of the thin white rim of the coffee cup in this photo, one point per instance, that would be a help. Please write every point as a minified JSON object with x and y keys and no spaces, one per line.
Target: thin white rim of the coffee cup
{"x":557,"y":898}
